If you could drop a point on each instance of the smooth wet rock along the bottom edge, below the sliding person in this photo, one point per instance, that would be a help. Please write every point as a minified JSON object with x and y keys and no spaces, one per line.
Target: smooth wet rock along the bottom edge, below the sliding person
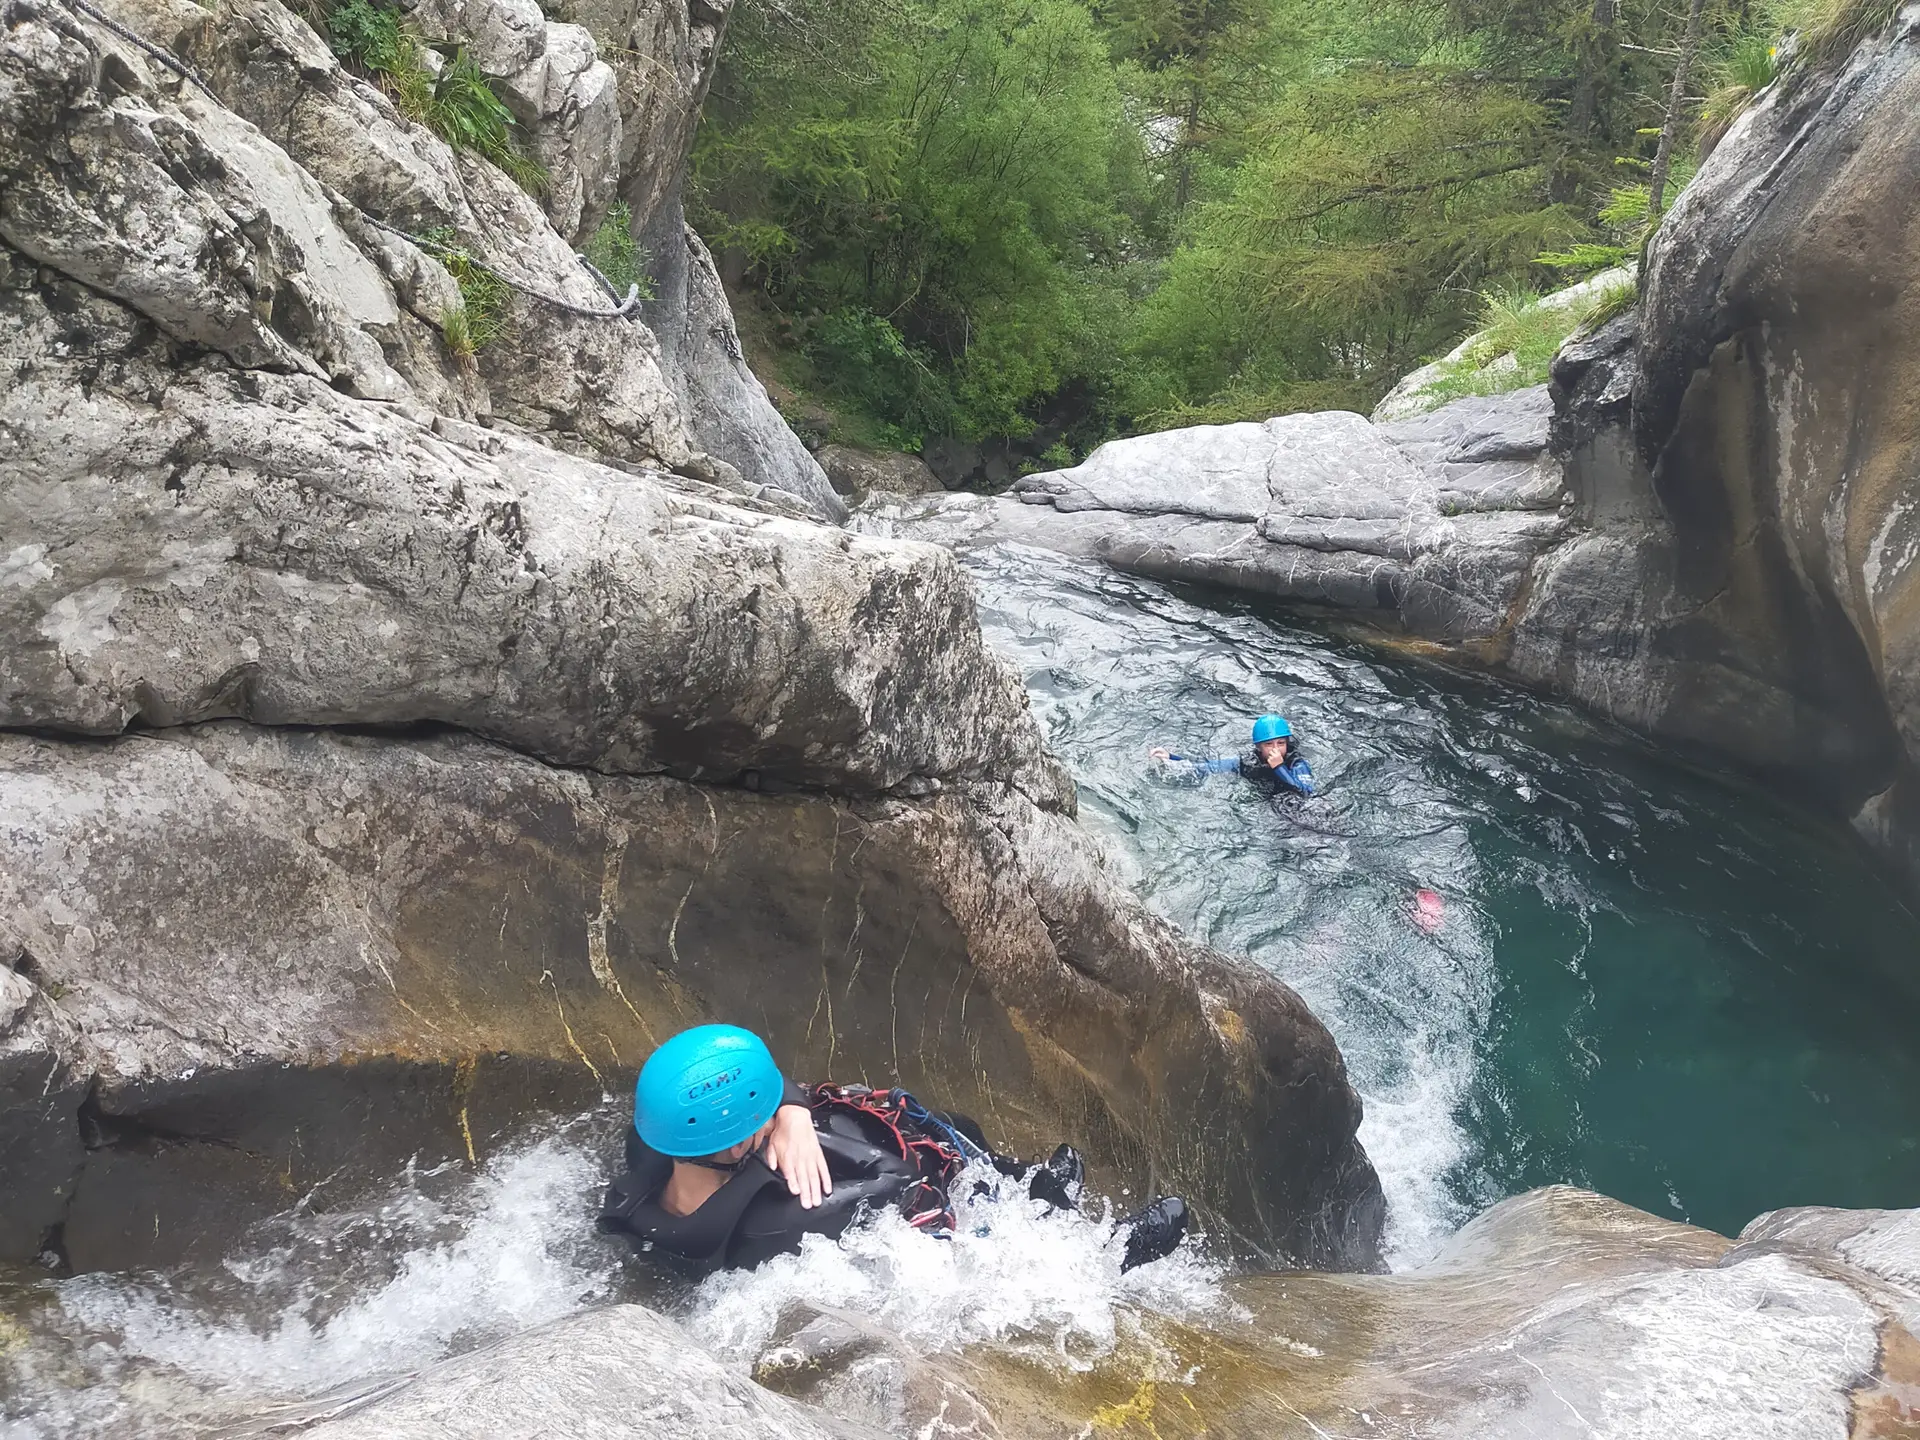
{"x":1556,"y":1314}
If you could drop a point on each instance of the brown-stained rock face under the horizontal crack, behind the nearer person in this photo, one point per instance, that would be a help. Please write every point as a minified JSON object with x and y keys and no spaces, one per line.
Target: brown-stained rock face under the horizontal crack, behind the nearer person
{"x":300,"y":955}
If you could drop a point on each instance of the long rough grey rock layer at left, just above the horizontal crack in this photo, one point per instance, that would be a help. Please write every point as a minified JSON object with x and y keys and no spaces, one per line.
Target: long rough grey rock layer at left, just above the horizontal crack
{"x":197,"y":544}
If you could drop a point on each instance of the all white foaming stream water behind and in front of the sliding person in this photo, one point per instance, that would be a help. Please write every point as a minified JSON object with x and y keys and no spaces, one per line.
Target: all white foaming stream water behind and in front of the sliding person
{"x":450,"y":1259}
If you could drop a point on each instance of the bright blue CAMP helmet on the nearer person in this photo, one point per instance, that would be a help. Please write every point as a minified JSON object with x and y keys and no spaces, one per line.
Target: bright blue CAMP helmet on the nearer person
{"x":706,"y":1092}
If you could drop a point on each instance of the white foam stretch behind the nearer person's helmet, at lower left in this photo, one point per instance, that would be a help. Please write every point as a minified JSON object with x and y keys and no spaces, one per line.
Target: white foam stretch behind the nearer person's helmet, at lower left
{"x":444,"y":1262}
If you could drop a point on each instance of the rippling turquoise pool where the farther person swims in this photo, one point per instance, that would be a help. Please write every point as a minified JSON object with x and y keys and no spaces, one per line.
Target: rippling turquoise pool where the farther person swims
{"x":1644,"y":982}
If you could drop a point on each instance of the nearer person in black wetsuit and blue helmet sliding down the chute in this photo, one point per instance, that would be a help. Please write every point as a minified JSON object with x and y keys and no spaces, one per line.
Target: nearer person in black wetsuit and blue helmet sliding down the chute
{"x":731,"y":1164}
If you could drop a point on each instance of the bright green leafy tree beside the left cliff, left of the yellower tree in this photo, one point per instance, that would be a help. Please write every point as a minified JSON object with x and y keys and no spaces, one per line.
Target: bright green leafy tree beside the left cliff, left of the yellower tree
{"x":944,"y":210}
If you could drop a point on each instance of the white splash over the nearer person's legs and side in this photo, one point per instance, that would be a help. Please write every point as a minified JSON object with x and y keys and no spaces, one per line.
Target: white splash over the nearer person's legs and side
{"x":1045,"y":1285}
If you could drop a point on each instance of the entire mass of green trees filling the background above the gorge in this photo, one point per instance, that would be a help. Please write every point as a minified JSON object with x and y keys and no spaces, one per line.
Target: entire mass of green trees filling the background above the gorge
{"x":1072,"y":218}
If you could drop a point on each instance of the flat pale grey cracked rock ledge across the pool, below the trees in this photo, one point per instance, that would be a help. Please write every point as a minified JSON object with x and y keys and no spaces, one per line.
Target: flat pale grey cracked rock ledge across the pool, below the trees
{"x":1428,"y":525}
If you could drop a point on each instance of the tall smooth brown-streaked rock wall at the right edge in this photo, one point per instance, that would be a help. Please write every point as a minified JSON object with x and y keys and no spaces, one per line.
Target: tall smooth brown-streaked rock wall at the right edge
{"x":1775,"y":412}
